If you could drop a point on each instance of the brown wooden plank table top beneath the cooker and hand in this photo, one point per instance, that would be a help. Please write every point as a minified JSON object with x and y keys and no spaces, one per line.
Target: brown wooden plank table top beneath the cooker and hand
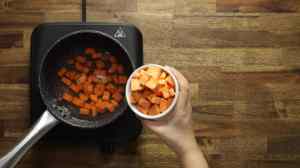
{"x":241,"y":57}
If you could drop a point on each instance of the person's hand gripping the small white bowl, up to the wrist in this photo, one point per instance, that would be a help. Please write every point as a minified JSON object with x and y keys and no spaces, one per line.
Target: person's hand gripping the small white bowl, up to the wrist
{"x":176,"y":128}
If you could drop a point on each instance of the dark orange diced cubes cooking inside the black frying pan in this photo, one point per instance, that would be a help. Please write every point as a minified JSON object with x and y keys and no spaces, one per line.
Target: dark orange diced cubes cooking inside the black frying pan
{"x":95,"y":81}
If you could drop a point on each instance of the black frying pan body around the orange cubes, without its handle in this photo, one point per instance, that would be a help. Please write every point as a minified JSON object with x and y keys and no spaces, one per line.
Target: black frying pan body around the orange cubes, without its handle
{"x":51,"y":87}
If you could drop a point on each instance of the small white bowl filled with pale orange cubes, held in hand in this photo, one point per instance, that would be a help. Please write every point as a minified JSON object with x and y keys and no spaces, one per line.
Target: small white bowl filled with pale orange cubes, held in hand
{"x":152,"y":91}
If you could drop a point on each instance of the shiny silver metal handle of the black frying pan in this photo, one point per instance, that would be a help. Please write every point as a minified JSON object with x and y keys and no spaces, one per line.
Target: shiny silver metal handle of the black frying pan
{"x":45,"y":123}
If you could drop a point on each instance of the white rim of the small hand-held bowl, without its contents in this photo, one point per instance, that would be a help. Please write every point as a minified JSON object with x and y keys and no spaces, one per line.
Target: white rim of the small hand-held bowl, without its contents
{"x":135,"y":110}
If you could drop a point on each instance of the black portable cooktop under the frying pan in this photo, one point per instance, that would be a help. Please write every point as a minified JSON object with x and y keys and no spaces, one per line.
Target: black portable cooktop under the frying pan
{"x":124,"y":129}
